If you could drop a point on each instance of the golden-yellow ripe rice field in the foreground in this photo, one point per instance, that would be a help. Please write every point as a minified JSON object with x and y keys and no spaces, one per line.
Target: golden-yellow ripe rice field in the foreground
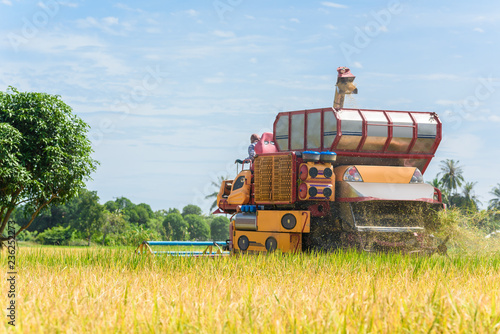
{"x":102,"y":290}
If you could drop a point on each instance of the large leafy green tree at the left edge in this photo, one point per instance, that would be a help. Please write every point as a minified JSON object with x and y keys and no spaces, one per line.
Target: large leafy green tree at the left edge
{"x":45,"y":155}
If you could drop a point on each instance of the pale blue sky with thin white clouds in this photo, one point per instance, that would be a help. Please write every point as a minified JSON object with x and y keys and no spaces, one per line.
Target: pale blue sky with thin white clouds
{"x":173,"y":90}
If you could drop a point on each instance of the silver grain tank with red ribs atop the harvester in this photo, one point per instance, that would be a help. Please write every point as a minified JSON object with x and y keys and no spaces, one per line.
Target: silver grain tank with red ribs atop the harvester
{"x":392,"y":138}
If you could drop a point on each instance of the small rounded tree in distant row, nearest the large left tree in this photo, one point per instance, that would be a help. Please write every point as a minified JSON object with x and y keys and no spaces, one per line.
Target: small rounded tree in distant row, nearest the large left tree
{"x":89,"y":217}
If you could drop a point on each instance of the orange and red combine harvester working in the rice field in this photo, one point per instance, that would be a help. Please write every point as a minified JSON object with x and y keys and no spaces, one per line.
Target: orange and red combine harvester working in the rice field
{"x":337,"y":177}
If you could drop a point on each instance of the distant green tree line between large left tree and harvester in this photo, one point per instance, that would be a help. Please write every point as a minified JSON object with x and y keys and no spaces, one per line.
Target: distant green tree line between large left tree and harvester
{"x":83,"y":220}
